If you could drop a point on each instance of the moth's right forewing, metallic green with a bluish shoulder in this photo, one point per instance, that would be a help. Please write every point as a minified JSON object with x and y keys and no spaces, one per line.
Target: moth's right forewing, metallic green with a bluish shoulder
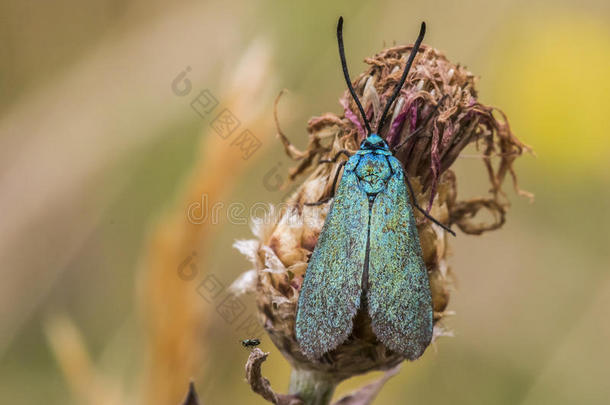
{"x":399,"y":298}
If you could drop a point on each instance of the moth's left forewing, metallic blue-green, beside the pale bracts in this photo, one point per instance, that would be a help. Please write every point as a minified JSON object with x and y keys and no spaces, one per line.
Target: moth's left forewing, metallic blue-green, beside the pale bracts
{"x":330,"y":295}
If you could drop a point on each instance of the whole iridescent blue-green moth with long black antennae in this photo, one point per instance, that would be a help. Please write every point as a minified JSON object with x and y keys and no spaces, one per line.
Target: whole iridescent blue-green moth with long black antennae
{"x":368,"y":256}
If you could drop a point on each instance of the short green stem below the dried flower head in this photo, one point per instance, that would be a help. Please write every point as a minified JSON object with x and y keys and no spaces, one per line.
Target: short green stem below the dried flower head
{"x":312,"y":387}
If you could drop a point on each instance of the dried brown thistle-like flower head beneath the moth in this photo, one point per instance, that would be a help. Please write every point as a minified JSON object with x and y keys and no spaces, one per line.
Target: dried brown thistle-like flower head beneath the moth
{"x":436,"y":116}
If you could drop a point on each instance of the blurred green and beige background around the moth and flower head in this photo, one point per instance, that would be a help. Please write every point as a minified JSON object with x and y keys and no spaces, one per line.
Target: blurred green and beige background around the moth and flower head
{"x":95,"y":147}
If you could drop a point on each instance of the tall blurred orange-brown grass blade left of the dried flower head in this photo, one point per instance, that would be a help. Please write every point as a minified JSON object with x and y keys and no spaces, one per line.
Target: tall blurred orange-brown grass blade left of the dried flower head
{"x":175,"y":315}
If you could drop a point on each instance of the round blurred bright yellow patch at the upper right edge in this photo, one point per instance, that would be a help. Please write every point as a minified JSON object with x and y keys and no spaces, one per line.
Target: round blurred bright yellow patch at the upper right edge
{"x":556,"y":81}
